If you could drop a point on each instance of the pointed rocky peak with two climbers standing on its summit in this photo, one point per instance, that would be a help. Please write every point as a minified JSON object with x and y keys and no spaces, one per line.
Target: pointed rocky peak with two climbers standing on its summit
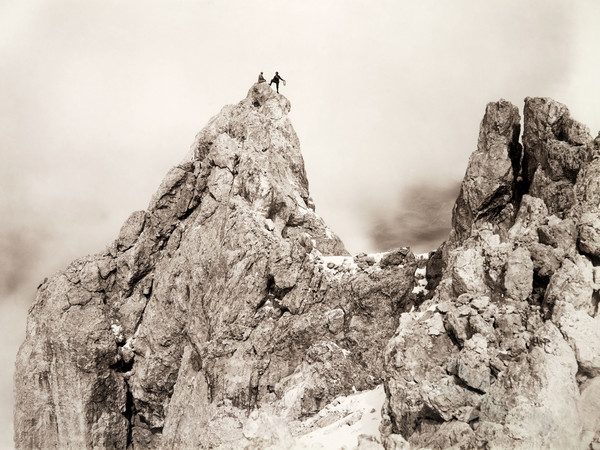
{"x":220,"y":315}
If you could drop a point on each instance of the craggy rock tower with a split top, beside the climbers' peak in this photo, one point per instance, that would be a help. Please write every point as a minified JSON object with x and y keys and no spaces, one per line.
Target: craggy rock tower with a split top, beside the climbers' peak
{"x":506,"y":352}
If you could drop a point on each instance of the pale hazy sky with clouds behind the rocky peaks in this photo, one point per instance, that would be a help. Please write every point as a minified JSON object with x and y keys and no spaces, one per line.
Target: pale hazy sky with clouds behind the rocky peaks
{"x":98,"y":99}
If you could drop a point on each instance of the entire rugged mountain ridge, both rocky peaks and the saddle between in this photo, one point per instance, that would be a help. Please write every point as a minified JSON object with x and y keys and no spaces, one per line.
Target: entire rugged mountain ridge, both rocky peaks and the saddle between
{"x":228,"y":315}
